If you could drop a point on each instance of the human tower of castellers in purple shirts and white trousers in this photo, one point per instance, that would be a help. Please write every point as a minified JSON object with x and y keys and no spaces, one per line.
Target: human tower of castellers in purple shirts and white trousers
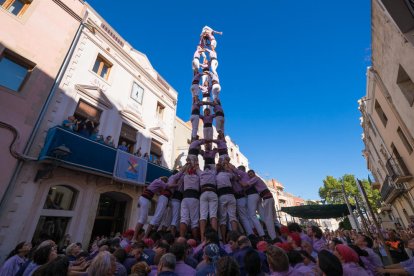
{"x":221,"y":195}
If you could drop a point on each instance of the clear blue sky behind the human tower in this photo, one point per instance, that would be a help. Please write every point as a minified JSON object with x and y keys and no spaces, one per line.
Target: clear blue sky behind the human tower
{"x":291,"y":74}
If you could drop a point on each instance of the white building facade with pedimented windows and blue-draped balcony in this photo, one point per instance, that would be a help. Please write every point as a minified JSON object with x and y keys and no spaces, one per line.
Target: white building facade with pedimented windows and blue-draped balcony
{"x":115,"y":86}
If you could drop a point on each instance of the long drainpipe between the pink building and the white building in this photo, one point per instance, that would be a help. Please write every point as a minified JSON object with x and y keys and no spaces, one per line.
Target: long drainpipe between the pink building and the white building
{"x":10,"y":187}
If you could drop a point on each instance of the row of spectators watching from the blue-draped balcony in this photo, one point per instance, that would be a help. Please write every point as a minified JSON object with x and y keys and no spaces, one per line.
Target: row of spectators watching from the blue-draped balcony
{"x":89,"y":129}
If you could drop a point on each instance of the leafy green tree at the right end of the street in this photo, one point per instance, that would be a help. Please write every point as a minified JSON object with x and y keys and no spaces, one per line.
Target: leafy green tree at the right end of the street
{"x":331,"y":191}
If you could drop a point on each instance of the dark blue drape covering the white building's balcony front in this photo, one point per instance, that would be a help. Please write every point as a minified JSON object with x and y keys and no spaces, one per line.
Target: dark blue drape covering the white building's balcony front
{"x":88,"y":155}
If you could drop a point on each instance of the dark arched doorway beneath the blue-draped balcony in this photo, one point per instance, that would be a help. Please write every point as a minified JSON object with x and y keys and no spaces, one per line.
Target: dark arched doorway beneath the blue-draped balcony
{"x":111,"y":214}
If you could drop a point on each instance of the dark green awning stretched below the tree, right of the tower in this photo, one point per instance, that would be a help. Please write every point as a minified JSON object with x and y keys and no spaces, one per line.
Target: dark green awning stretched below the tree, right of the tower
{"x":318,"y":211}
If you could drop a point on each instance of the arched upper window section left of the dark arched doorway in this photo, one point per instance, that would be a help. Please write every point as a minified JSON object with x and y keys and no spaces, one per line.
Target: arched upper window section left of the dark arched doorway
{"x":60,"y":198}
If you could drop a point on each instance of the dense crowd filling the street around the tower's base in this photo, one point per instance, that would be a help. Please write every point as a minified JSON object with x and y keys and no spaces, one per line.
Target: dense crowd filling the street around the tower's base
{"x":295,"y":251}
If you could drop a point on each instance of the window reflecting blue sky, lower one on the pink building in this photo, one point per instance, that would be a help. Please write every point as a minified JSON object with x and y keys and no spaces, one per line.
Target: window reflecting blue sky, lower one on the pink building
{"x":14,"y":70}
